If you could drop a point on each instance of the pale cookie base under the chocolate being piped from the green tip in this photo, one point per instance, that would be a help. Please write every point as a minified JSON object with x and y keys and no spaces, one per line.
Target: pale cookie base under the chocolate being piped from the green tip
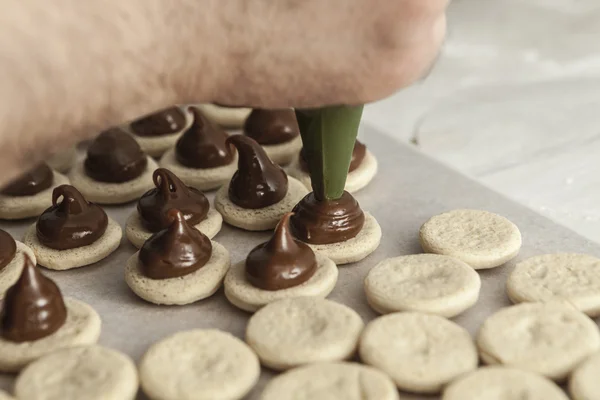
{"x":356,"y":248}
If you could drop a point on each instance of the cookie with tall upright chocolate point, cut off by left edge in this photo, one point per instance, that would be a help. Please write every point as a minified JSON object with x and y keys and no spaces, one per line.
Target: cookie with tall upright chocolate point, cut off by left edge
{"x":34,"y":311}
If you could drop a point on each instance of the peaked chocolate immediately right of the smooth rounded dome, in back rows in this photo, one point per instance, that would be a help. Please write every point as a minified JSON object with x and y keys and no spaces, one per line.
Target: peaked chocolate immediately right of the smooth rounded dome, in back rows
{"x":203,"y":145}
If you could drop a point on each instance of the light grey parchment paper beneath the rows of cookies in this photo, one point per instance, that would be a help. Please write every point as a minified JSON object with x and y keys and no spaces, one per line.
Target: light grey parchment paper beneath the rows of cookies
{"x":408,"y":189}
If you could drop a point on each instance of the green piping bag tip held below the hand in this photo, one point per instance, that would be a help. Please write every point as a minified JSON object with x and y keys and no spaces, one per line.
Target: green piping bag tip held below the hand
{"x":328,"y":136}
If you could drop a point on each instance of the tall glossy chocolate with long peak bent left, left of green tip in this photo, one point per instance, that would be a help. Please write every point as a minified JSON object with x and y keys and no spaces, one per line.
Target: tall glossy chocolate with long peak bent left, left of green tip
{"x":258,"y":182}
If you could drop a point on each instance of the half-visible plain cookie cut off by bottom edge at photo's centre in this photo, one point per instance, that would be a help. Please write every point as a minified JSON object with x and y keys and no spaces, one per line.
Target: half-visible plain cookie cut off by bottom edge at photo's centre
{"x":338,"y":380}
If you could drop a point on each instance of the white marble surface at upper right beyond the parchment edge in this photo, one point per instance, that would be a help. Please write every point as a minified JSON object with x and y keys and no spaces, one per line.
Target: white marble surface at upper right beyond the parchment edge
{"x":514,"y":101}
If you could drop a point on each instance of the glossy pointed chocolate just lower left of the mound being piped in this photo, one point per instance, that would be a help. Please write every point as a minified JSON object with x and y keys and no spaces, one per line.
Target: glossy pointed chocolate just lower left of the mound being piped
{"x":282,"y":262}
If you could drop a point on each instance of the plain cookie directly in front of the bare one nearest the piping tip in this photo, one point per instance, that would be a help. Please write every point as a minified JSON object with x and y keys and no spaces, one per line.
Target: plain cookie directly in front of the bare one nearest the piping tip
{"x":420,"y":352}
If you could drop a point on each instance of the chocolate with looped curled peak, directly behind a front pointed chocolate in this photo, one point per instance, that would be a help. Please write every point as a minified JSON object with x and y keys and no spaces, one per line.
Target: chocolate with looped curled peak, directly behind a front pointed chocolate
{"x":170,"y":193}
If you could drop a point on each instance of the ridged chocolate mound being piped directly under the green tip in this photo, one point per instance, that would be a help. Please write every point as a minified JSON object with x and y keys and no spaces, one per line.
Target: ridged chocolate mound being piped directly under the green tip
{"x":328,"y":221}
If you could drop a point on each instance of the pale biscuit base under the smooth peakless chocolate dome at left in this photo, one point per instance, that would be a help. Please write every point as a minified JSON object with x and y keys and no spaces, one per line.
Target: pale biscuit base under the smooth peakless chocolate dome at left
{"x":112,"y":193}
